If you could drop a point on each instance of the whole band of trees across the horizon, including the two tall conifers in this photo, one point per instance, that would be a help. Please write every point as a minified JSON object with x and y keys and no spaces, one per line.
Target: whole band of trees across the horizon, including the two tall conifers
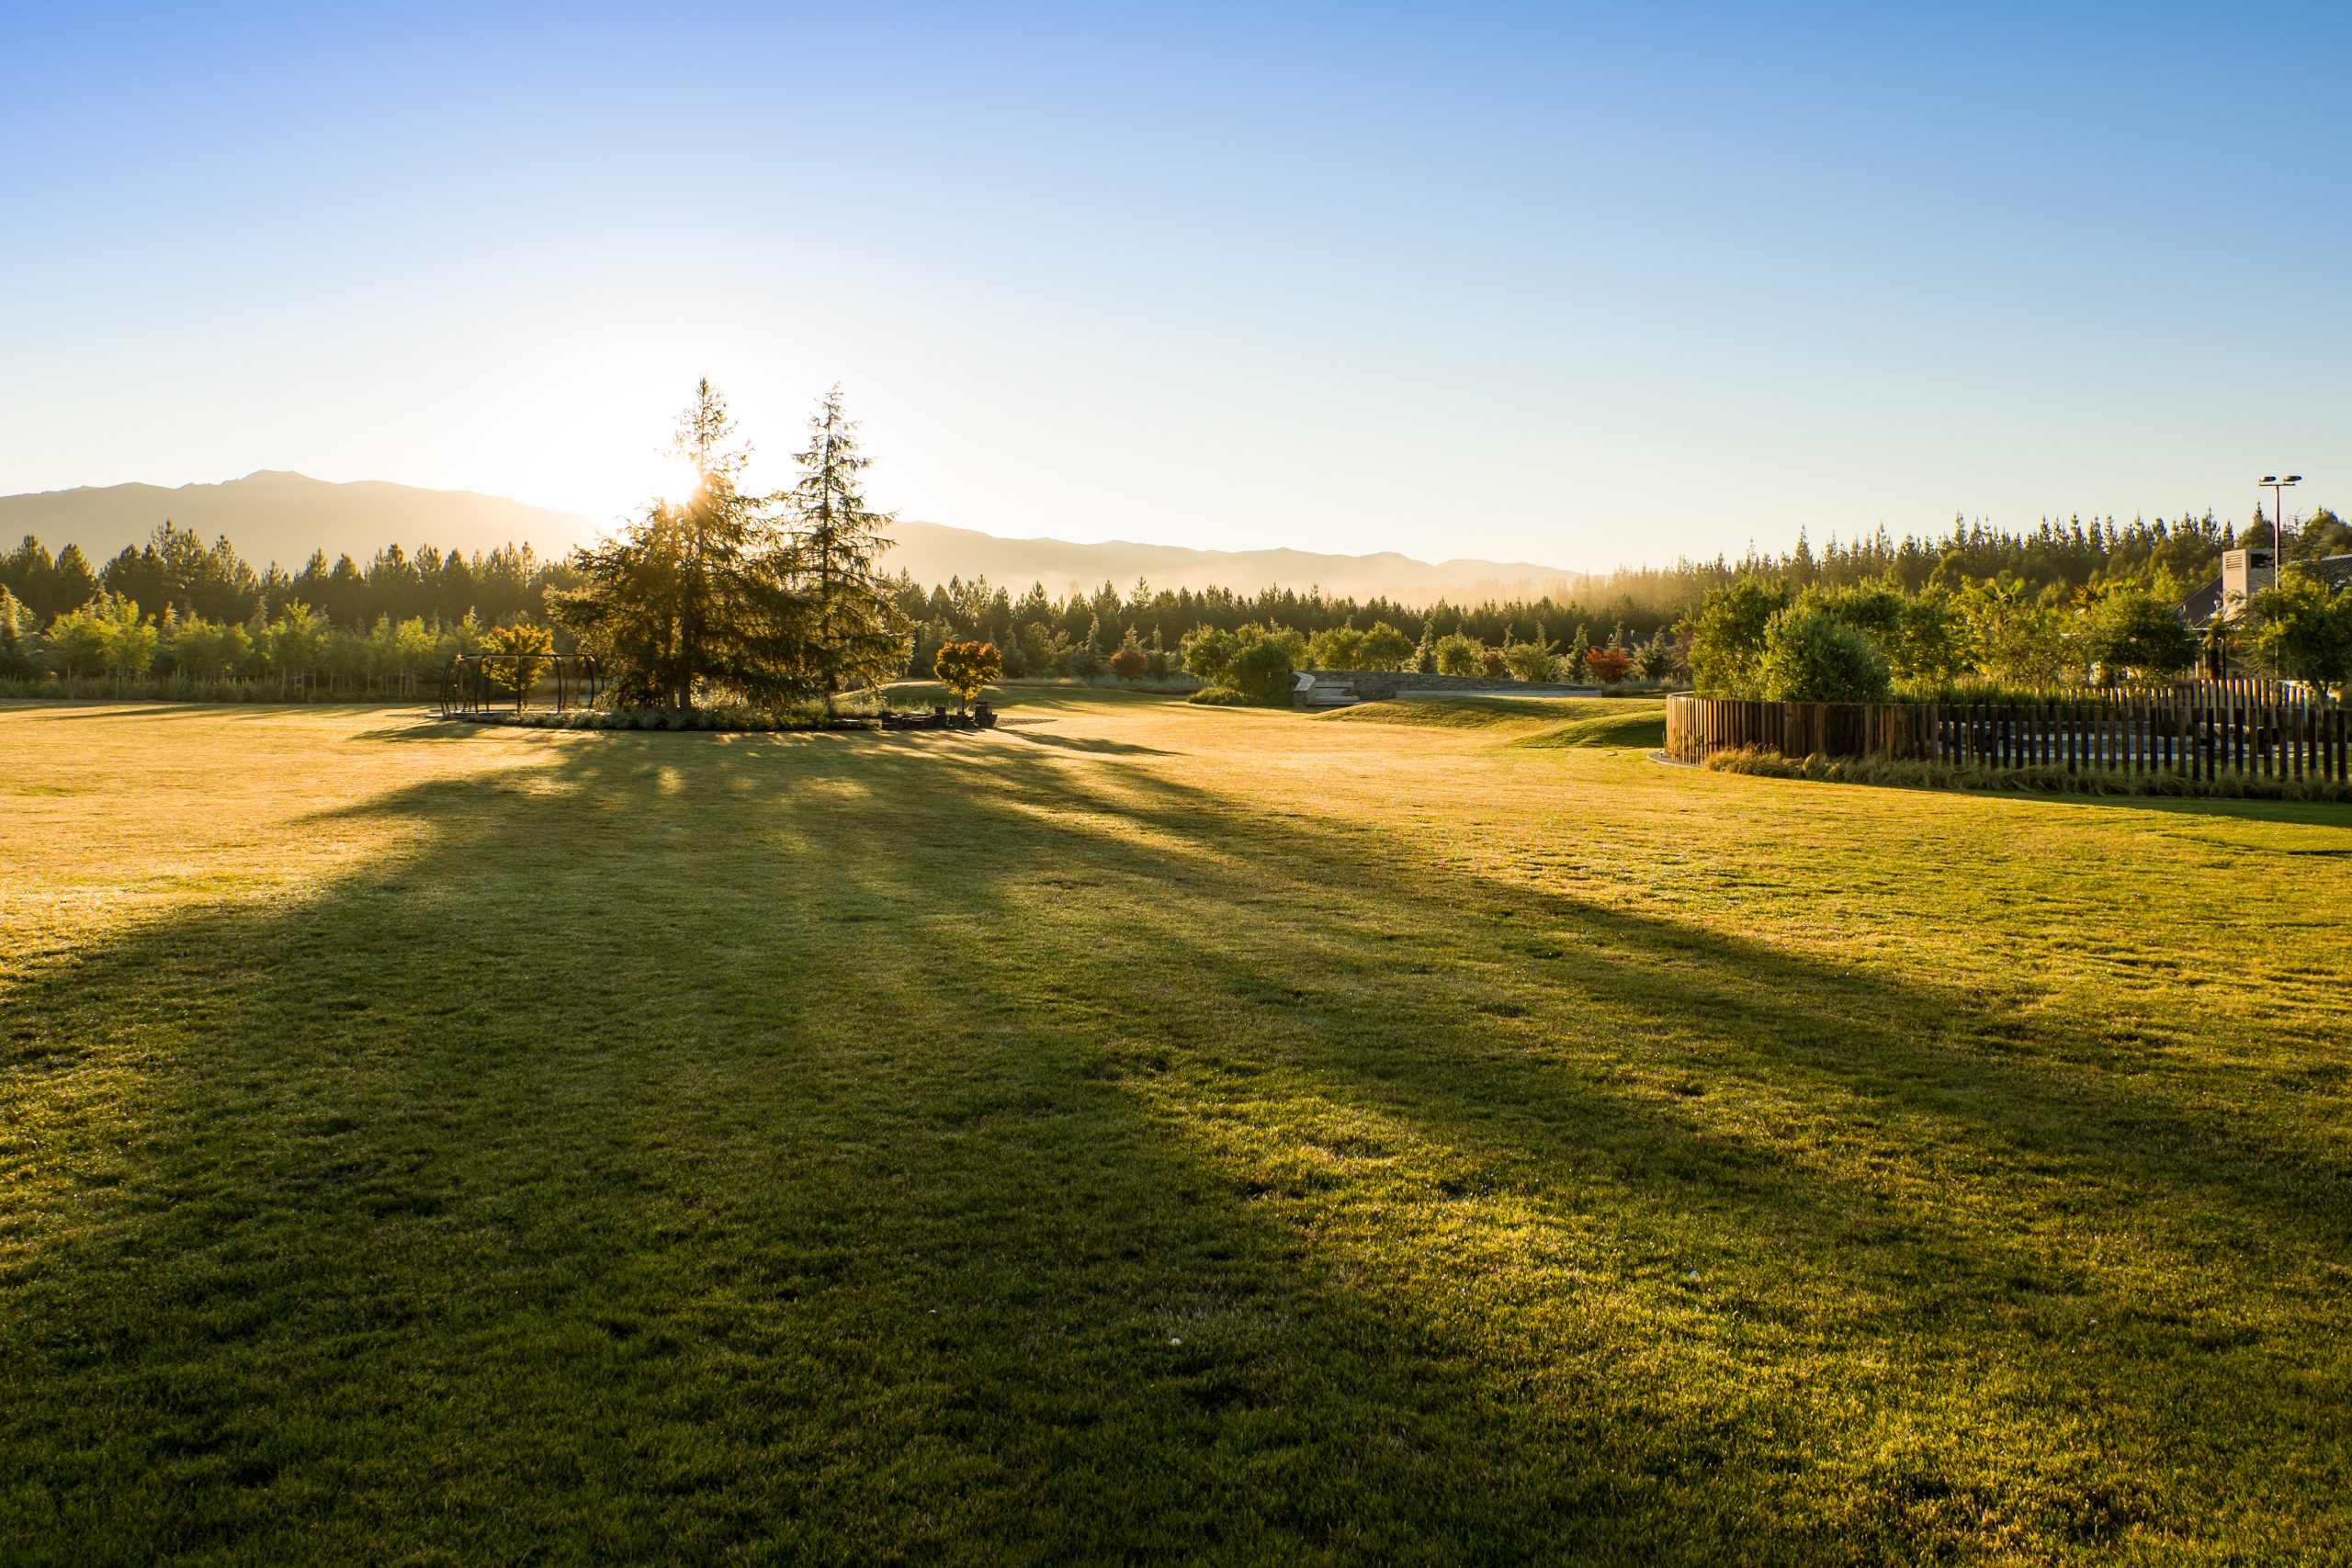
{"x":784,"y":596}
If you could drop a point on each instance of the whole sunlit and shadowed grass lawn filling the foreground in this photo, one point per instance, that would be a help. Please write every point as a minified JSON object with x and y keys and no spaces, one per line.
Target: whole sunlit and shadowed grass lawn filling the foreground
{"x":1408,"y":1134}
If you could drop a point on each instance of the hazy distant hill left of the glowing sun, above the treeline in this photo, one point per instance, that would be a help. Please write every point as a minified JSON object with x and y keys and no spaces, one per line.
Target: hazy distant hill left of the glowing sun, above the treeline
{"x":288,"y":516}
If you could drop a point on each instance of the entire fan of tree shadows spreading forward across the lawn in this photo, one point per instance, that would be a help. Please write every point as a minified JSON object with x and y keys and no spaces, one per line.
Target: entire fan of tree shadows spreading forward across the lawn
{"x":831,"y":1146}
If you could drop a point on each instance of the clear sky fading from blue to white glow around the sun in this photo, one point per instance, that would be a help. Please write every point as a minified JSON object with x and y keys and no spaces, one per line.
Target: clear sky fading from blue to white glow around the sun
{"x":1553,"y":283}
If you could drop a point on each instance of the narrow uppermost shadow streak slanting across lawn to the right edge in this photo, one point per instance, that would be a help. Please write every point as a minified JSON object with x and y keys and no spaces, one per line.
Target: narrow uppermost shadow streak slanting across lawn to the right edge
{"x":1944,"y":1052}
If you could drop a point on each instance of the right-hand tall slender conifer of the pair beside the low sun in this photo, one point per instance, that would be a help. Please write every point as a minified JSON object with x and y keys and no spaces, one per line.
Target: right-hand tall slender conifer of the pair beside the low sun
{"x":853,"y":634}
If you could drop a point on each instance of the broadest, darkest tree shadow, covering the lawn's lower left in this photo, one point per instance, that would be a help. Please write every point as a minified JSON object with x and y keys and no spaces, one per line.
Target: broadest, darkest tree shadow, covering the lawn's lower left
{"x":486,"y":1200}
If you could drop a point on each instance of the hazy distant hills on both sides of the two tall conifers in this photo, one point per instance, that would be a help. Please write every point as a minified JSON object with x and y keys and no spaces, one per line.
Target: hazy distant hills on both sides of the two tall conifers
{"x":288,"y":516}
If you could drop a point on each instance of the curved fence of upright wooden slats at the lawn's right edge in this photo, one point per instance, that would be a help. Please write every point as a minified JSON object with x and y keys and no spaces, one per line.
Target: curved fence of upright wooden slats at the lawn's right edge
{"x":2200,"y":730}
